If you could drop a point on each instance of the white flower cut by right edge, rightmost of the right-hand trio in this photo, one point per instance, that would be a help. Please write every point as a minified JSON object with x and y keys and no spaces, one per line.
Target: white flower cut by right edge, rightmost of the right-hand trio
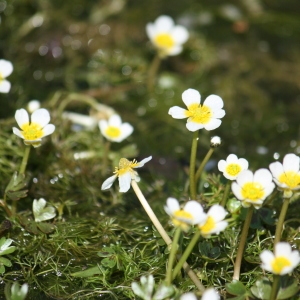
{"x":287,"y":175}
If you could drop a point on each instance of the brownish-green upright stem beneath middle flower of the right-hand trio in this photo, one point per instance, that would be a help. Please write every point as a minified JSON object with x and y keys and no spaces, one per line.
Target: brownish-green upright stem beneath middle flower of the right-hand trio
{"x":238,"y":260}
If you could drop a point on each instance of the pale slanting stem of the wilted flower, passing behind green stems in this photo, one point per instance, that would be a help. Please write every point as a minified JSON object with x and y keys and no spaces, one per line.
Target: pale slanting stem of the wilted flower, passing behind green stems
{"x":163,"y":233}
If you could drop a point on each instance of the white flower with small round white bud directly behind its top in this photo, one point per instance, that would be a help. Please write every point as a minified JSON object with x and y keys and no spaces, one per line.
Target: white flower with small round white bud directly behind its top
{"x":33,"y":132}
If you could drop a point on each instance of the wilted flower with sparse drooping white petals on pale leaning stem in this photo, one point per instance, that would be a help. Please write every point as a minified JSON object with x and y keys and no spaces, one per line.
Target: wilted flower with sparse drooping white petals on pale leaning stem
{"x":125,"y":173}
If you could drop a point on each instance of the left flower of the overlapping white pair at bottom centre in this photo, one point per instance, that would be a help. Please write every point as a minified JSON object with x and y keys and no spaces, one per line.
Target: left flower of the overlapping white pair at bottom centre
{"x":191,"y":214}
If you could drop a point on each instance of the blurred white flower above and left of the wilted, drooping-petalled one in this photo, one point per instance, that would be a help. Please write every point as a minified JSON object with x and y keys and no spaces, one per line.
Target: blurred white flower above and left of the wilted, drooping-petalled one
{"x":114,"y":130}
